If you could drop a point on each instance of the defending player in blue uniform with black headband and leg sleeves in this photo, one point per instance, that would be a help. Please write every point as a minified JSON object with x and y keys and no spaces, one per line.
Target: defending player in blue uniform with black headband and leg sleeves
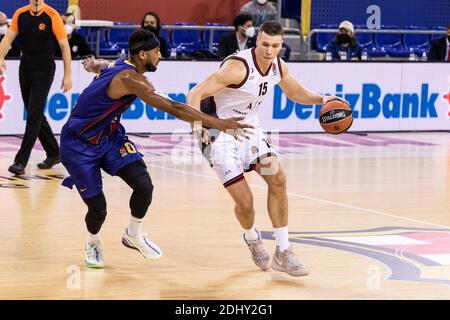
{"x":93,"y":139}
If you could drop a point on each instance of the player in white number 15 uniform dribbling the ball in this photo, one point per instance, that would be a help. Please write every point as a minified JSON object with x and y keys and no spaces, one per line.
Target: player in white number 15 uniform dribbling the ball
{"x":237,"y":89}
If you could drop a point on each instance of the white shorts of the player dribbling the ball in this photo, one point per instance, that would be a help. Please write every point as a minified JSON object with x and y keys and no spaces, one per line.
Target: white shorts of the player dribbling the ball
{"x":230,"y":158}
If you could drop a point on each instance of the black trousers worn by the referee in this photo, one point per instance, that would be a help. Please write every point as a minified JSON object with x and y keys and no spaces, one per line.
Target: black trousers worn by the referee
{"x":36,"y":77}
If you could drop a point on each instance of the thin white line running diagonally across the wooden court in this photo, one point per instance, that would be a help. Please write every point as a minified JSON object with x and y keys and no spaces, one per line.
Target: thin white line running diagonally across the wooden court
{"x":377,"y":212}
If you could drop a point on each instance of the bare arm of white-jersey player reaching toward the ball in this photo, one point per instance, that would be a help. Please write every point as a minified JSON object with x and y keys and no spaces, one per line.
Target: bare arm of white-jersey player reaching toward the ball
{"x":298,"y":93}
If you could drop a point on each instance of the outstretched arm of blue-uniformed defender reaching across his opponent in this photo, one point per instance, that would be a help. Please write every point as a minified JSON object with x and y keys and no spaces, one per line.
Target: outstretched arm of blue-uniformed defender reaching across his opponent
{"x":139,"y":85}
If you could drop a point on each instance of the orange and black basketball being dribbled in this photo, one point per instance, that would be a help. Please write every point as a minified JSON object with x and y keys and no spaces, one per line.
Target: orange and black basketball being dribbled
{"x":335,"y":116}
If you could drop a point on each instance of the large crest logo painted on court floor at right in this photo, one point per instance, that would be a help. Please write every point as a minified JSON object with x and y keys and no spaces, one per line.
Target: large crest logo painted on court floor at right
{"x":410,"y":254}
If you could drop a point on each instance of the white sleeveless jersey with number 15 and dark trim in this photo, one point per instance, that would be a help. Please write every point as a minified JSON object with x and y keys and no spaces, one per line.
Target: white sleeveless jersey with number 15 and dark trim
{"x":244,"y":99}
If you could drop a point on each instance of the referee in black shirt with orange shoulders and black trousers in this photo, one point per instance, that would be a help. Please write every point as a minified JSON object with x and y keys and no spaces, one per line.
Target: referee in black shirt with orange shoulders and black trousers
{"x":38,"y":26}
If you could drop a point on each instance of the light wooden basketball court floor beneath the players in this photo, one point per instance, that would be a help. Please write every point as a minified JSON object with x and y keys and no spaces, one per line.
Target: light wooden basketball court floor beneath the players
{"x":369,"y":216}
